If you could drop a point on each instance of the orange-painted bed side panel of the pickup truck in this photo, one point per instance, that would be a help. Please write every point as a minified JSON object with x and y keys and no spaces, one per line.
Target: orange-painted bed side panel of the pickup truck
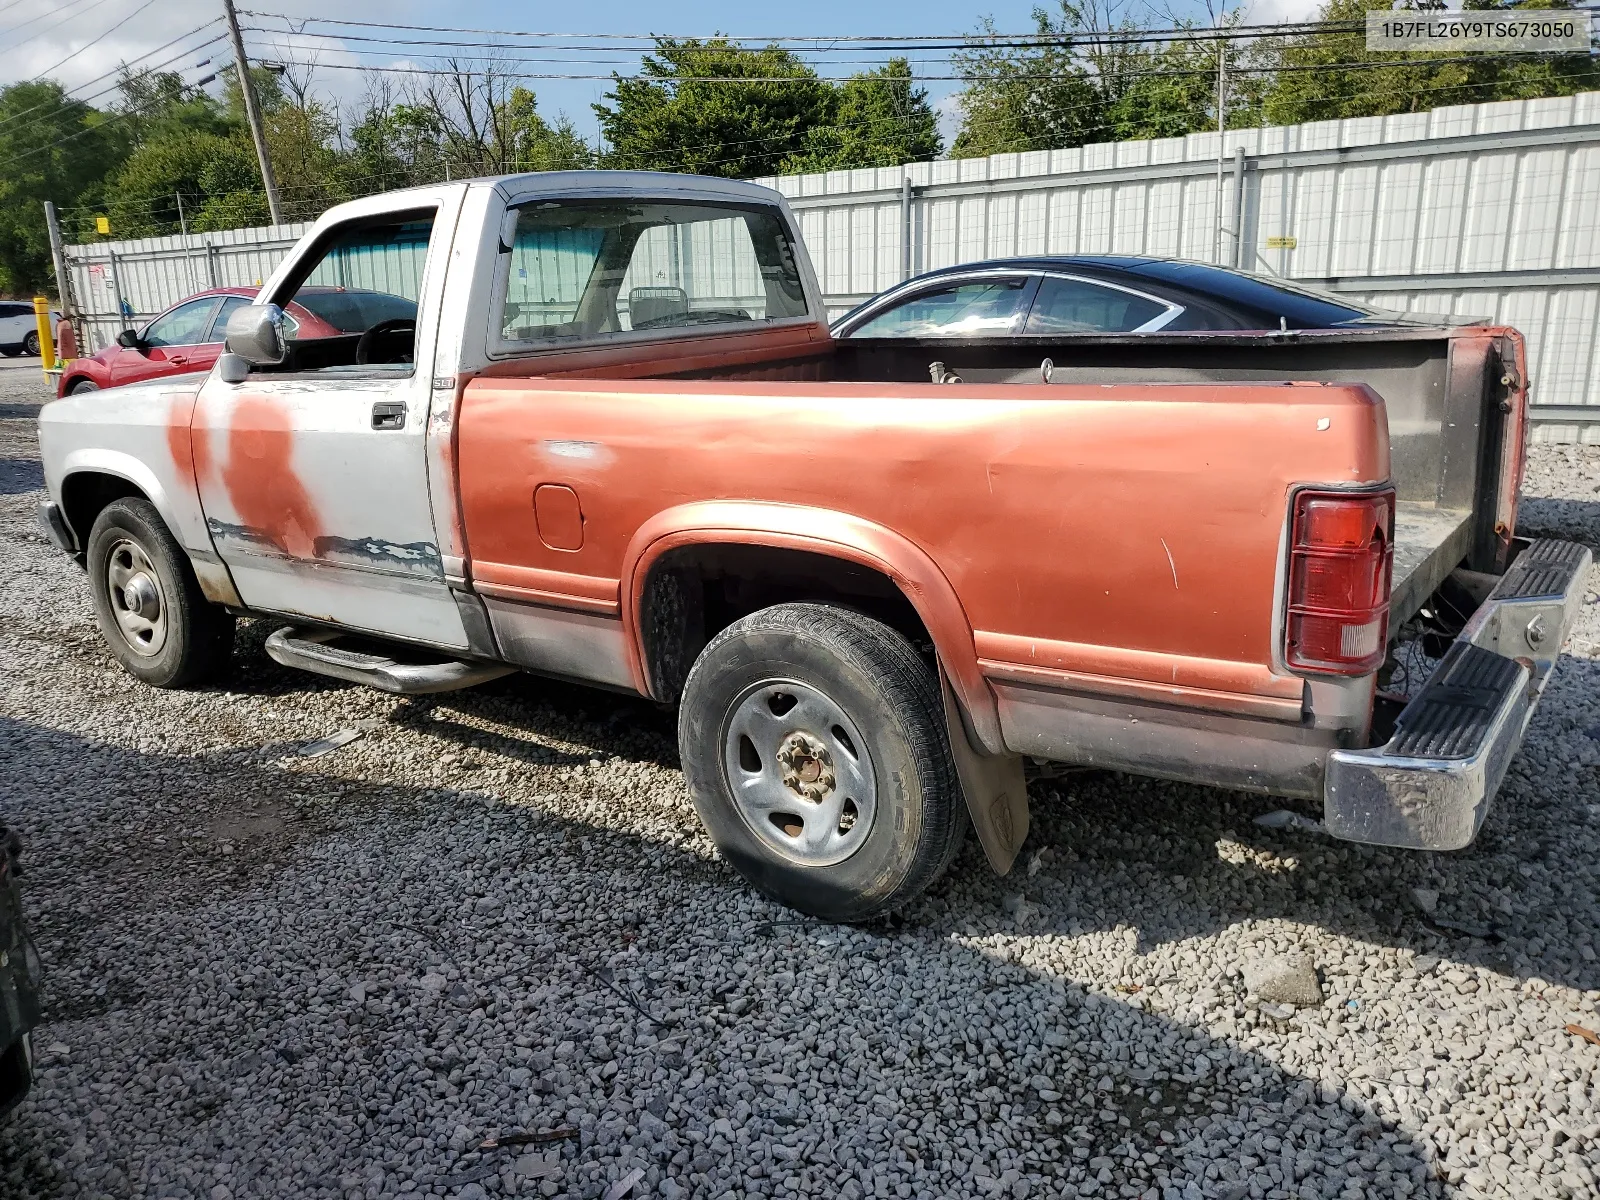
{"x":1134,"y":518}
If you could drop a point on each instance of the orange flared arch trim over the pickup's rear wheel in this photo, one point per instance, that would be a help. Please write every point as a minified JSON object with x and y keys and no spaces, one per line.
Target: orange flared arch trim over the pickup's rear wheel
{"x":825,"y":534}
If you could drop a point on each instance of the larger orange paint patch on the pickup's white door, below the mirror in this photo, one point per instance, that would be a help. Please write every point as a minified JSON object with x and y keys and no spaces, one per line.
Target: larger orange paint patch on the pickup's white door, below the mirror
{"x":262,"y":482}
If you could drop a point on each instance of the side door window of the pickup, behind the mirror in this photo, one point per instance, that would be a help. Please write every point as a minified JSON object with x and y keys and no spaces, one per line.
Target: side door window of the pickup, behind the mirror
{"x":356,"y":306}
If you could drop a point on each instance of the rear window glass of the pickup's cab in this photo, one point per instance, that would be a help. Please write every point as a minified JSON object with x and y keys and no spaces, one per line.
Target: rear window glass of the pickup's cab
{"x":598,"y":268}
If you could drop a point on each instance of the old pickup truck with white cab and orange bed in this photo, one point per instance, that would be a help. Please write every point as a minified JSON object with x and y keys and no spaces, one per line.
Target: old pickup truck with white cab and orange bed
{"x":617,"y":444}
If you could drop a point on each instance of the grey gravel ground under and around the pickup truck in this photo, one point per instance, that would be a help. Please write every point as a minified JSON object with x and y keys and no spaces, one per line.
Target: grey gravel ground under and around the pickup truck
{"x":495,"y":913}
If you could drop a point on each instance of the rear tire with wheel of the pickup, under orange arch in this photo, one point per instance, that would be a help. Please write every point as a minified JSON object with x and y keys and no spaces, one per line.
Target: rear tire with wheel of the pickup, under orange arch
{"x":887,"y":694}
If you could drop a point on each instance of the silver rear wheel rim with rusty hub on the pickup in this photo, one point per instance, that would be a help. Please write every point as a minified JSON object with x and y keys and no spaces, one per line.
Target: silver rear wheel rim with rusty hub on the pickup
{"x":799,"y":774}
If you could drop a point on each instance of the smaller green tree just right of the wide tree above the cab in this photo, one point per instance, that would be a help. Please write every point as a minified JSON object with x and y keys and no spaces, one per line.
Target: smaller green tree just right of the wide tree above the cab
{"x":879,"y":119}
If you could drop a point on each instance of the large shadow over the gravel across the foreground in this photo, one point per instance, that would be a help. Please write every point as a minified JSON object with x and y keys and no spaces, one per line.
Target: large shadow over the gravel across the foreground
{"x":953,"y":1060}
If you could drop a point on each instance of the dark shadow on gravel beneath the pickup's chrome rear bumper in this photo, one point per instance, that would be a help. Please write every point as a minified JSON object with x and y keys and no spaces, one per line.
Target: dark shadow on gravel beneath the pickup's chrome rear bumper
{"x":1191,"y":862}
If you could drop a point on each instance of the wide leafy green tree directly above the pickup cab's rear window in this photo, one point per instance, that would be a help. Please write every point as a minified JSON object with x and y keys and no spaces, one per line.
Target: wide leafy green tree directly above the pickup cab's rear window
{"x":713,"y":108}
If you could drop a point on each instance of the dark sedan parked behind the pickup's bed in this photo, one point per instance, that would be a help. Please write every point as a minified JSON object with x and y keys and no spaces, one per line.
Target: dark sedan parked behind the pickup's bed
{"x":1102,"y":294}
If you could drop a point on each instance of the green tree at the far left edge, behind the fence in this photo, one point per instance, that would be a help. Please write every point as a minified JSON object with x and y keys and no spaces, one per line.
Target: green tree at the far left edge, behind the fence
{"x":52,"y":148}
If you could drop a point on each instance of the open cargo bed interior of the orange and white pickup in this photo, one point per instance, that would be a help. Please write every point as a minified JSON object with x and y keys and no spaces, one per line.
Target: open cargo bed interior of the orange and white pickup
{"x":1444,"y":393}
